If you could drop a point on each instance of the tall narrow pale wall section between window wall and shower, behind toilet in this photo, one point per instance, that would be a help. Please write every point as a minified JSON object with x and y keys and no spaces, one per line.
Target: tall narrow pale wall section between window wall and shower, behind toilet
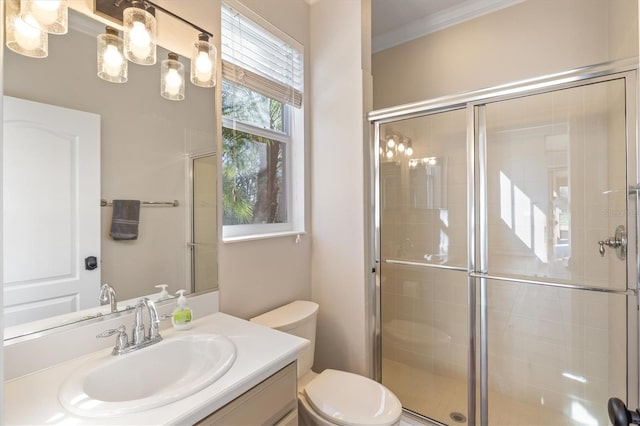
{"x":338,"y":263}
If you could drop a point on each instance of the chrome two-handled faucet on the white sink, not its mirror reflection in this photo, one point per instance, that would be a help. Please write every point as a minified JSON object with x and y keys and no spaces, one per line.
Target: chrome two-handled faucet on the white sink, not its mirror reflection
{"x":139,"y":338}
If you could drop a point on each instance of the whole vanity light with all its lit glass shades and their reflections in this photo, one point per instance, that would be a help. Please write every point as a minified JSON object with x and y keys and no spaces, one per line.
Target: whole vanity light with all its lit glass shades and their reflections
{"x":28,"y":23}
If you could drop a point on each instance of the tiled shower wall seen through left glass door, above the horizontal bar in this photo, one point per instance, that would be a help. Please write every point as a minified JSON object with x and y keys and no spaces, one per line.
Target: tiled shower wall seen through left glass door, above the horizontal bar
{"x":424,"y":195}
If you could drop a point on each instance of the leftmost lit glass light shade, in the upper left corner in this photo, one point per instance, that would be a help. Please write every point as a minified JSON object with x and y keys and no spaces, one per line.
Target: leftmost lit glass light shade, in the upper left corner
{"x":25,"y":36}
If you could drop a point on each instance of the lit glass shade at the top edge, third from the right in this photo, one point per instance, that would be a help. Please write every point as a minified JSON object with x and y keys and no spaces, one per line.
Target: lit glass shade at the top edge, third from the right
{"x":139,"y":34}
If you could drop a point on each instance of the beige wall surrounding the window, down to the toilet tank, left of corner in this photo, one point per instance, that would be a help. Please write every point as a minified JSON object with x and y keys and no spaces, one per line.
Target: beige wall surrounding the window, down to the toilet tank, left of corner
{"x":259,"y":275}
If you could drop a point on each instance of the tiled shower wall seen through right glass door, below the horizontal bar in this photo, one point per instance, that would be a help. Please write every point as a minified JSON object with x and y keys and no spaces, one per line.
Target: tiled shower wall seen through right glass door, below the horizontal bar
{"x":551,"y":347}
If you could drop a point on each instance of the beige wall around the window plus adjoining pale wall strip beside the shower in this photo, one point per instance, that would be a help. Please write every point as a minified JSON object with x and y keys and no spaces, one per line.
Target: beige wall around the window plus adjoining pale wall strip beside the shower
{"x":328,"y":265}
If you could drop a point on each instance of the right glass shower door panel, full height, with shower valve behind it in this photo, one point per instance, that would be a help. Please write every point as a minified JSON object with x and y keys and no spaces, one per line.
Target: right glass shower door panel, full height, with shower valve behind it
{"x":555,"y":260}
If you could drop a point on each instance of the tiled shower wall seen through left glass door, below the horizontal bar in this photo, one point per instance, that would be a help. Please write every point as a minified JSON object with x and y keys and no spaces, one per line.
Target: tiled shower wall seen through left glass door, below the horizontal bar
{"x":425,"y":319}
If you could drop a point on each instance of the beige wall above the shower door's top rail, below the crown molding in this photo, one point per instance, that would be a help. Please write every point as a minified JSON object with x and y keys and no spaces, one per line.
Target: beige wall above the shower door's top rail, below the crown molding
{"x":529,"y":39}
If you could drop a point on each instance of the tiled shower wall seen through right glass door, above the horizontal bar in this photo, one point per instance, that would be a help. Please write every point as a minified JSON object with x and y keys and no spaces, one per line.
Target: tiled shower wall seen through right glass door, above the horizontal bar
{"x":550,"y":194}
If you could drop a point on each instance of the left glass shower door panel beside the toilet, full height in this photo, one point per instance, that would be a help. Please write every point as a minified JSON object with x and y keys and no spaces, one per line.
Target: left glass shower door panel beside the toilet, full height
{"x":423,"y":267}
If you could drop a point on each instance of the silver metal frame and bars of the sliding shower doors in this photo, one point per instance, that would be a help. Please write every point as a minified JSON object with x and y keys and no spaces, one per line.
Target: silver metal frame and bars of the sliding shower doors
{"x":476,"y":269}
